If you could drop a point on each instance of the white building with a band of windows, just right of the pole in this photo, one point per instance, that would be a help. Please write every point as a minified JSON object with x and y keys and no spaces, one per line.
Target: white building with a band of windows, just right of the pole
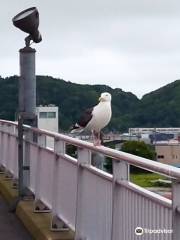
{"x":48,"y":119}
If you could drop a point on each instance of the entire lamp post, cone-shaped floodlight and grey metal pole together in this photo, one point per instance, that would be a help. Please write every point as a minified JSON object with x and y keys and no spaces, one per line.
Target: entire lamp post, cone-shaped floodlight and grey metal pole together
{"x":27,"y":21}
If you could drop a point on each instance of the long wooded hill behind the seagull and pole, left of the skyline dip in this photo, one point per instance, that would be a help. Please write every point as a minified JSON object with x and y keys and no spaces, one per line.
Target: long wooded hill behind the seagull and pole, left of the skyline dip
{"x":71,"y":99}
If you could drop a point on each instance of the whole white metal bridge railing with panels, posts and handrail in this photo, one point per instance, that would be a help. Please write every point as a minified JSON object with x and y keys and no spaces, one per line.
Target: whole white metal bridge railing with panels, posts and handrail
{"x":93,"y":203}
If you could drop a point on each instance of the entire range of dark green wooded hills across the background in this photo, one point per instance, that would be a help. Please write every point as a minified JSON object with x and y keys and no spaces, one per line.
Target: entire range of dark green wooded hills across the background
{"x":156,"y":109}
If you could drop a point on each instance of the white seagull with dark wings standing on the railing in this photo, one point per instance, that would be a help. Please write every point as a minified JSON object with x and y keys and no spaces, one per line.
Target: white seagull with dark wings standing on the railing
{"x":96,"y":118}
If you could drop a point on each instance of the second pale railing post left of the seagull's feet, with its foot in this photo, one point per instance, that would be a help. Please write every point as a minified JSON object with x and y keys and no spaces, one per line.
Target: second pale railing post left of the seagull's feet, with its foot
{"x":60,"y":149}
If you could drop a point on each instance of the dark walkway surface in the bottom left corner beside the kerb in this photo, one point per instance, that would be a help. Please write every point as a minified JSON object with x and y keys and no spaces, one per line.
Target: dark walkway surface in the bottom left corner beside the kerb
{"x":10,"y":226}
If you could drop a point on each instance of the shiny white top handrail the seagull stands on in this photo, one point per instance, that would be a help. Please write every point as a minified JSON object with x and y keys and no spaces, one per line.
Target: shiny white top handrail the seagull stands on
{"x":141,"y":162}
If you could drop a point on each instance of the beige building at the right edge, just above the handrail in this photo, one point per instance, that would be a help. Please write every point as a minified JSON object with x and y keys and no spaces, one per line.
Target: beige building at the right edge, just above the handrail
{"x":168,"y":152}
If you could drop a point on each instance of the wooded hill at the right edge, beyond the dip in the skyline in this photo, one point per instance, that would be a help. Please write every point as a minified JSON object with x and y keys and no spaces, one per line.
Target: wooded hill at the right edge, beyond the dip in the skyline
{"x":160,"y":108}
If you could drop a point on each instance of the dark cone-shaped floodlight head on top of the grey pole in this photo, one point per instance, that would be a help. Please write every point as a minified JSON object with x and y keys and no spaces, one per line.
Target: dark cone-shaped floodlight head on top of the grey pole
{"x":28,"y":21}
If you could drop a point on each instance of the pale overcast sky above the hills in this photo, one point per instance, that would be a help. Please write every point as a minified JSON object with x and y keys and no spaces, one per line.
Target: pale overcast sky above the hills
{"x":130,"y":44}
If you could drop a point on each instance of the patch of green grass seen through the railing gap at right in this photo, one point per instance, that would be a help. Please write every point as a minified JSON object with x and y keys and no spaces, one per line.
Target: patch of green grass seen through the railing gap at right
{"x":144,"y":179}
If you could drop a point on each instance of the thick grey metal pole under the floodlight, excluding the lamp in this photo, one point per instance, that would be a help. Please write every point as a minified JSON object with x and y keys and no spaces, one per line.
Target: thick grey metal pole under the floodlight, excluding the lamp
{"x":27,"y":112}
